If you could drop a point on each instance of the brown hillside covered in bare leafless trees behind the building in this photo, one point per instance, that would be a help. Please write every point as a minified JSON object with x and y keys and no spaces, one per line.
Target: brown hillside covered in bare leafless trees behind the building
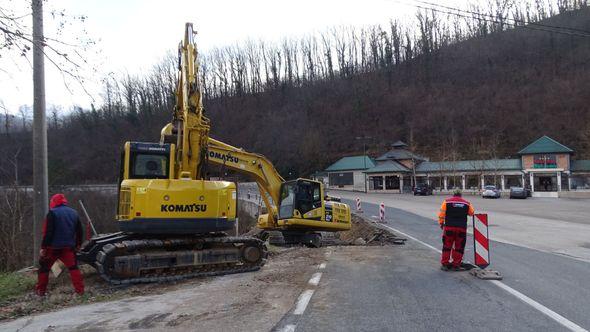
{"x":476,"y":86}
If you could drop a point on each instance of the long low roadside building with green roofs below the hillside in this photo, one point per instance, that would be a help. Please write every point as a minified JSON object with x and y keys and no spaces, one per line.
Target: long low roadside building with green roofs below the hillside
{"x":545,"y":166}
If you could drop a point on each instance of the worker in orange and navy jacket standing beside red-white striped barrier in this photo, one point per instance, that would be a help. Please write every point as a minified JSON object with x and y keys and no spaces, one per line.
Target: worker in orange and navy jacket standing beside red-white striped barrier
{"x":452,"y":219}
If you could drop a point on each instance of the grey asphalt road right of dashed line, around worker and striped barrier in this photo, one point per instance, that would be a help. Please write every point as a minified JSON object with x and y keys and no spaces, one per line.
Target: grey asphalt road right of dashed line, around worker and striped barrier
{"x":402,"y":288}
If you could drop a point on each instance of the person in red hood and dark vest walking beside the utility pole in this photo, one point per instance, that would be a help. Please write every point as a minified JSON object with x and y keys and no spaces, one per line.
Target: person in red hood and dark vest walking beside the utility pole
{"x":62,"y":236}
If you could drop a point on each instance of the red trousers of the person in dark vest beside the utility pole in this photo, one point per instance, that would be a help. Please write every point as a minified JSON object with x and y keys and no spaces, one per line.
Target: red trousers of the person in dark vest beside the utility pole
{"x":68,"y":257}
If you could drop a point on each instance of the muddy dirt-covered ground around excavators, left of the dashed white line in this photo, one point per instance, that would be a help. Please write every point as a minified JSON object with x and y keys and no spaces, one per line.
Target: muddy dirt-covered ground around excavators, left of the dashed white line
{"x":258,"y":298}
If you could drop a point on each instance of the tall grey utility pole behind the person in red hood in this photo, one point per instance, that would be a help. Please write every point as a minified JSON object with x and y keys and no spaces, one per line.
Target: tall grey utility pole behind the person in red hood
{"x":39,"y":128}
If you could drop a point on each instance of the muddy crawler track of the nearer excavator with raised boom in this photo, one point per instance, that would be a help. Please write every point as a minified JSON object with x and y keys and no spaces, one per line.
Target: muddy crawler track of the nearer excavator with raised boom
{"x":139,"y":260}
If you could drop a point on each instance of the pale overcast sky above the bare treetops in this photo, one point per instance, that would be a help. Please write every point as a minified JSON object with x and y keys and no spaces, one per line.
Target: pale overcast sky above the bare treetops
{"x":133,"y":35}
